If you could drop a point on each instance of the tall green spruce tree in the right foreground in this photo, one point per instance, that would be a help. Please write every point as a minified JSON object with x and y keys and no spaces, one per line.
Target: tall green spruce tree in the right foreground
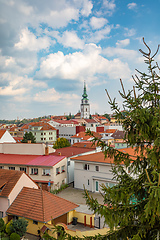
{"x":132,"y":207}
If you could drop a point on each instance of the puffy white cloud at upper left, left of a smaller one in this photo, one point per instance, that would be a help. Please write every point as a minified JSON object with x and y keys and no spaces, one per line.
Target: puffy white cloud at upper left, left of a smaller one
{"x":29,"y":41}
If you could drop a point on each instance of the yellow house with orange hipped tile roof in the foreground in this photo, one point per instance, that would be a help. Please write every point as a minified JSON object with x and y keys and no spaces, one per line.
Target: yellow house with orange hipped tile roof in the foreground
{"x":41,"y":209}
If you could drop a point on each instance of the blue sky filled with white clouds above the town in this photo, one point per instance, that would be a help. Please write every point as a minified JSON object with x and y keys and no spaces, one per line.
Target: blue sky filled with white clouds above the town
{"x":48,"y":48}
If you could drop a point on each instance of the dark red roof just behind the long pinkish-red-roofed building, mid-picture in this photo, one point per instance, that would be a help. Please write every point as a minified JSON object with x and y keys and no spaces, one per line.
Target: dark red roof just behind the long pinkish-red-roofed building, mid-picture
{"x":71,"y":151}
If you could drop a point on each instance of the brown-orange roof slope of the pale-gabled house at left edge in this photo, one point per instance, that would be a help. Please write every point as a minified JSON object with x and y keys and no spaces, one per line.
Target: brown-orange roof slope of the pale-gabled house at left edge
{"x":8,"y":179}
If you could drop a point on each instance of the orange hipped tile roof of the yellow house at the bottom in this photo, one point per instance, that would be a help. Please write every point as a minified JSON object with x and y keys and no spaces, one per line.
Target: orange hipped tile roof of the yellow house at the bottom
{"x":39,"y":205}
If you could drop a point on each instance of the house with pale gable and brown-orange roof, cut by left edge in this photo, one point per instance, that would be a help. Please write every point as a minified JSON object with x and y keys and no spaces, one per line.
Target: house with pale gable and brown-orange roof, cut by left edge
{"x":11,"y":183}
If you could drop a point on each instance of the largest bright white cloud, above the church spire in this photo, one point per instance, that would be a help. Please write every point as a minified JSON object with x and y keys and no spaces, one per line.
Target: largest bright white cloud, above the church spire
{"x":81,"y":65}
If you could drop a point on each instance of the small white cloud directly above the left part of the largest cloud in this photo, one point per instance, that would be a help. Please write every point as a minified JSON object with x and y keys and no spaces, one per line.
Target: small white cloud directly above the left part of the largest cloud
{"x":70,"y":39}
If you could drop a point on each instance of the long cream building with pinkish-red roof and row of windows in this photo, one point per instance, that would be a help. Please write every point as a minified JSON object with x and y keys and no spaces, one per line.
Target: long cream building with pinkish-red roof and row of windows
{"x":48,"y":171}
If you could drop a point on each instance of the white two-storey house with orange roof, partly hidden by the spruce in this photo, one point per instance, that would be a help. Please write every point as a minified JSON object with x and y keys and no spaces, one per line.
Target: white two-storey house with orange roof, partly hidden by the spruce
{"x":94,"y":170}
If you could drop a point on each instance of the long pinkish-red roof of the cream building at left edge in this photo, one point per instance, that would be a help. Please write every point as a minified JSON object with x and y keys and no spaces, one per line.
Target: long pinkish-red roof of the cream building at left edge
{"x":29,"y":160}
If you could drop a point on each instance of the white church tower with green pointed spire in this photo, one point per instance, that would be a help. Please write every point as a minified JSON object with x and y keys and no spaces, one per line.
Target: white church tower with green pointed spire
{"x":85,"y":107}
